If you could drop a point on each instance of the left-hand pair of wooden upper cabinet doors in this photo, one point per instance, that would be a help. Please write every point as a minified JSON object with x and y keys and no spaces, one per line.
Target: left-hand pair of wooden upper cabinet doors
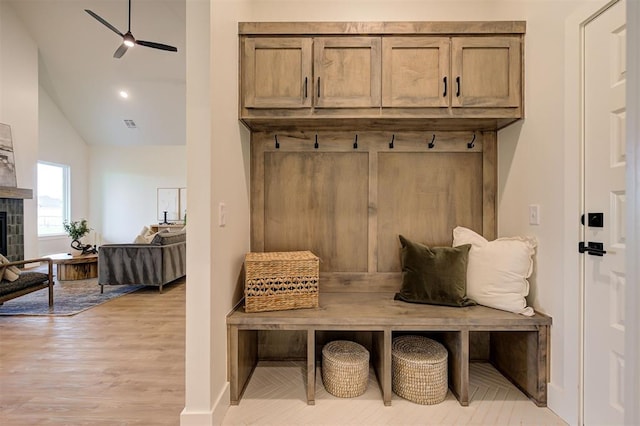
{"x":277,"y":73}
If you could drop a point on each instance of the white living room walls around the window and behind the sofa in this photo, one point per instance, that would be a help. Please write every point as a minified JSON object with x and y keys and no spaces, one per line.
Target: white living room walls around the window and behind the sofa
{"x":113,"y":187}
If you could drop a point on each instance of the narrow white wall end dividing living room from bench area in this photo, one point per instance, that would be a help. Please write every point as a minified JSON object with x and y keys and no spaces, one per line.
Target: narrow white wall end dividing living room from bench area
{"x":200,"y":384}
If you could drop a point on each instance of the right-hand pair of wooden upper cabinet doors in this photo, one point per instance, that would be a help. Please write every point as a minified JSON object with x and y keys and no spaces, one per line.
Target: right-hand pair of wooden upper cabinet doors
{"x":473,"y":72}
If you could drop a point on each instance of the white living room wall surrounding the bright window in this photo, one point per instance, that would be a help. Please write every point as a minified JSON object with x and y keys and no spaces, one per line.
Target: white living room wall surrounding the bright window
{"x":60,"y":143}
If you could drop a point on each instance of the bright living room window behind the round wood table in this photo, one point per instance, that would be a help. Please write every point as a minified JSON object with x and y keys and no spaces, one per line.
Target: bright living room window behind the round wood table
{"x":53,"y":198}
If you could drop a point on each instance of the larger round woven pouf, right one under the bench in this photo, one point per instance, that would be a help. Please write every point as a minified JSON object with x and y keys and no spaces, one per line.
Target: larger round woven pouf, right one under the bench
{"x":419,"y":366}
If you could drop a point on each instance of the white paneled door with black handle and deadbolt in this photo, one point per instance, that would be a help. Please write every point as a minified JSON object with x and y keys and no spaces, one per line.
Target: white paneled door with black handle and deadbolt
{"x":604,"y":192}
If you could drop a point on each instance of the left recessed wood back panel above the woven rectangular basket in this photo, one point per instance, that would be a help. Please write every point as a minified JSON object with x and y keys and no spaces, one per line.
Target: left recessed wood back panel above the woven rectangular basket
{"x":318,"y":201}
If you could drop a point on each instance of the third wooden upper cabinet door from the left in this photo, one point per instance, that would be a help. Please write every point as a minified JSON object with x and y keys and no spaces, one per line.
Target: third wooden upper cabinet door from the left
{"x":415,"y":72}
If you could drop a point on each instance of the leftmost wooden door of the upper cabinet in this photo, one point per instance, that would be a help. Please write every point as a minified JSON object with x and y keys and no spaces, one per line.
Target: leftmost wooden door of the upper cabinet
{"x":277,"y":72}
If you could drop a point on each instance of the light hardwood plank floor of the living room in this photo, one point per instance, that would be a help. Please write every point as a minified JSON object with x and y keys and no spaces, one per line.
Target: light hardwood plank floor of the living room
{"x":120,"y":363}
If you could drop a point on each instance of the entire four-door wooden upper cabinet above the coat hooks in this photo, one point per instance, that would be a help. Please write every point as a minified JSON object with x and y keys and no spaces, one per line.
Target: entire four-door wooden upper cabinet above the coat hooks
{"x":402,"y":76}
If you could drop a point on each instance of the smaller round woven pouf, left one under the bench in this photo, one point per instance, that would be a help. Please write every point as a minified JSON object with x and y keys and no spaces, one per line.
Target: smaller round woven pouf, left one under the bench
{"x":345,"y":368}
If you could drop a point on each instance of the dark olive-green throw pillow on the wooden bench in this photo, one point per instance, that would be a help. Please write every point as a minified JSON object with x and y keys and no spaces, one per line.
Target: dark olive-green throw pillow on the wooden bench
{"x":434,"y":275}
